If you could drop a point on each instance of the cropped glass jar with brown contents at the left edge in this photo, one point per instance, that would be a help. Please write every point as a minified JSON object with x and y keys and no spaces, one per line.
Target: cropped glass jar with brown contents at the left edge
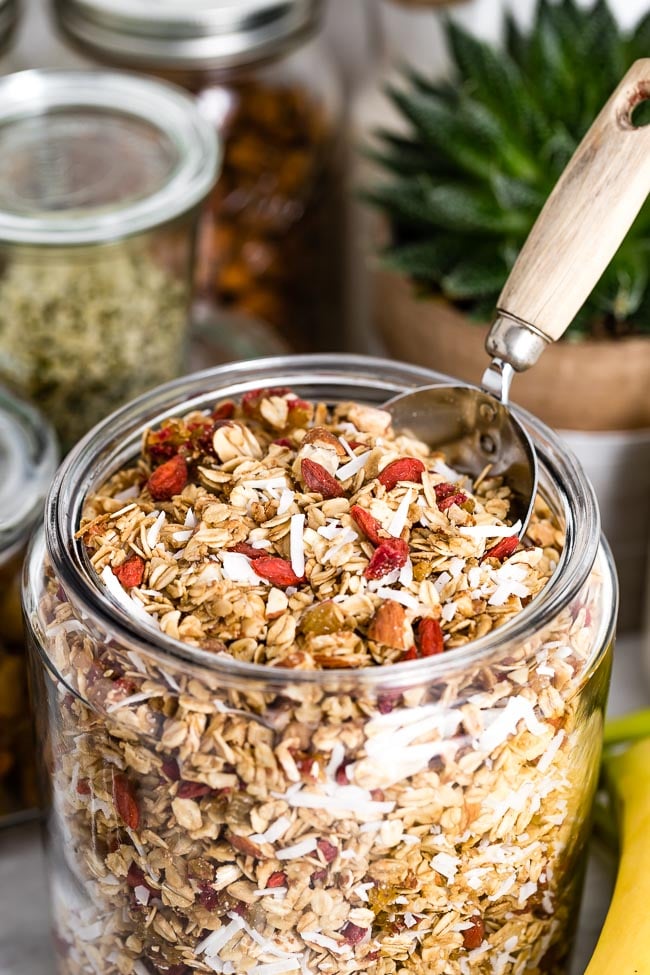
{"x":28,"y":459}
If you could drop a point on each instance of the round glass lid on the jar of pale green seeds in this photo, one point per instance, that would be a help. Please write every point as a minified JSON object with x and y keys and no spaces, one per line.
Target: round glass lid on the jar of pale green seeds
{"x":93,"y":156}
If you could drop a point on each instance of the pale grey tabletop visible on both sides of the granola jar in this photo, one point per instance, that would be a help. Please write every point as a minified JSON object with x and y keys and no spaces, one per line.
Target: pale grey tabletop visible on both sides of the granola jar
{"x":25,"y":947}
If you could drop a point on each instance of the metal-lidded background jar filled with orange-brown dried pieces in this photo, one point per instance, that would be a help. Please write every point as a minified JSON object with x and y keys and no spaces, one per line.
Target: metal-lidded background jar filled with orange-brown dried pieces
{"x":270,"y":245}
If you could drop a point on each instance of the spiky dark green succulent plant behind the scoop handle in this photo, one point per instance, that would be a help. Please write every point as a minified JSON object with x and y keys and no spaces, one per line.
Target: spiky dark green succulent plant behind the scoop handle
{"x":481,"y":150}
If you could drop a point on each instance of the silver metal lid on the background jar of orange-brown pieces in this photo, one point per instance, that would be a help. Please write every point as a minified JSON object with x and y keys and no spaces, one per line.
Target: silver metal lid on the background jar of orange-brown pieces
{"x":218,"y":33}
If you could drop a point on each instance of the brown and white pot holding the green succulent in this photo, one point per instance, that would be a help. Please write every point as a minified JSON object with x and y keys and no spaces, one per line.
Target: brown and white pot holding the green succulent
{"x":595,"y":393}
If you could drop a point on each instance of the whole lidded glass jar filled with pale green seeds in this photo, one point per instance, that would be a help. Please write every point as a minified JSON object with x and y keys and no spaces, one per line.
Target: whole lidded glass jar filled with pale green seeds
{"x":101,"y":174}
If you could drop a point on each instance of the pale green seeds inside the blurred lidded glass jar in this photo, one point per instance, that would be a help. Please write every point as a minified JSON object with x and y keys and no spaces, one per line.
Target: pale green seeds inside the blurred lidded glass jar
{"x":83,"y":332}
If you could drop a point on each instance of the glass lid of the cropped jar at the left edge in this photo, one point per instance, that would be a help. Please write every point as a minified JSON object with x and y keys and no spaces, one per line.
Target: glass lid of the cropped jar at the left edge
{"x":28,"y":459}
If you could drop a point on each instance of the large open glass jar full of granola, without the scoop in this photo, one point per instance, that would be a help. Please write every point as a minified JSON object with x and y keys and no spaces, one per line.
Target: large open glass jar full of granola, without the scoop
{"x":305,"y":702}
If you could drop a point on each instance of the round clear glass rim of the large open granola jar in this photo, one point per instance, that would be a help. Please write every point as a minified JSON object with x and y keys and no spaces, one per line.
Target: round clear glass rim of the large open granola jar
{"x":116,"y":440}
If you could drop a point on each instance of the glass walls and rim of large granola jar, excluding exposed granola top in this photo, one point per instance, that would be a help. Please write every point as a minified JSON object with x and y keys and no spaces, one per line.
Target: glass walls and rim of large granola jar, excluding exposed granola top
{"x":182,"y":833}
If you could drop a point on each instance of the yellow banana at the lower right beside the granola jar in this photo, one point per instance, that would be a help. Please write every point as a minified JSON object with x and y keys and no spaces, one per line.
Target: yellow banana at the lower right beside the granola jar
{"x":624,"y":944}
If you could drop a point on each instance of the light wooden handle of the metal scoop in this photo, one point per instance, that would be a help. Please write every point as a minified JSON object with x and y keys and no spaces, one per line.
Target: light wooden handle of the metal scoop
{"x":586,"y":216}
